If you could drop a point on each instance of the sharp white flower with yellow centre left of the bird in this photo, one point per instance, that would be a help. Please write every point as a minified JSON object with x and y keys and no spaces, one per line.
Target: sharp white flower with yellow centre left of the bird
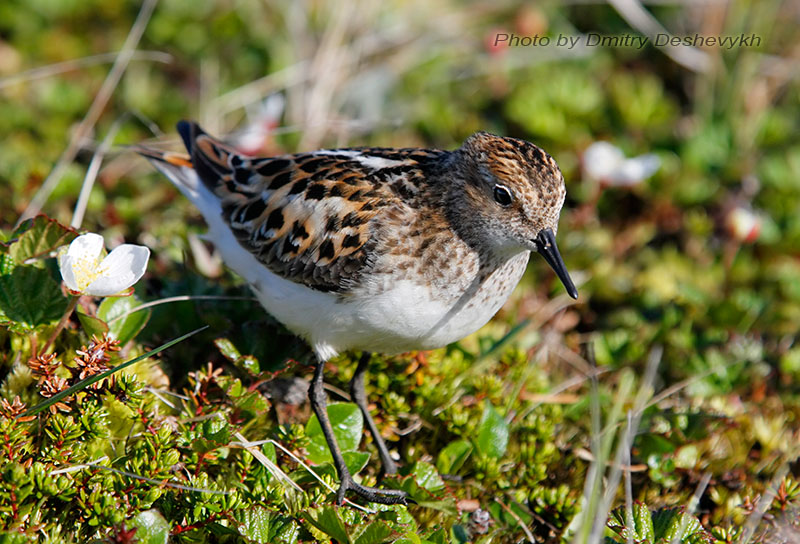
{"x":85,"y":271}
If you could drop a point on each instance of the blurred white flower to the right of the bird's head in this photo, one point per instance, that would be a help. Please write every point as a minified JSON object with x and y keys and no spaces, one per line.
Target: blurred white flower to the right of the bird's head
{"x":606,"y":163}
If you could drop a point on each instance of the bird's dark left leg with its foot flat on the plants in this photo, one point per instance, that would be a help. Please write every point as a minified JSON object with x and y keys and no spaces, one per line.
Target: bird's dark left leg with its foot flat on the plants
{"x":319,"y":403}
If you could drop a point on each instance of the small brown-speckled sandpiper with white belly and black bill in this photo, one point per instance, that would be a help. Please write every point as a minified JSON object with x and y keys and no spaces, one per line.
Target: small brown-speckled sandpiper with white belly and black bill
{"x":375,"y":250}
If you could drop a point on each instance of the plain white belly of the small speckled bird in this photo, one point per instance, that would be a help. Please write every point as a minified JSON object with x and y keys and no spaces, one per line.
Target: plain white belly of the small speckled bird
{"x":406,"y":317}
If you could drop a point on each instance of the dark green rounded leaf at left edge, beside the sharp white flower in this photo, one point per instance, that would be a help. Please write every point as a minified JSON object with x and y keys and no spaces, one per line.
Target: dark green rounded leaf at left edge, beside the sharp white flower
{"x":30,"y":297}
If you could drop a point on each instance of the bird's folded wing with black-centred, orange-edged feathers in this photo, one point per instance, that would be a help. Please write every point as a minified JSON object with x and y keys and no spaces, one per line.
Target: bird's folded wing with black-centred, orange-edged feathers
{"x":313,"y":218}
